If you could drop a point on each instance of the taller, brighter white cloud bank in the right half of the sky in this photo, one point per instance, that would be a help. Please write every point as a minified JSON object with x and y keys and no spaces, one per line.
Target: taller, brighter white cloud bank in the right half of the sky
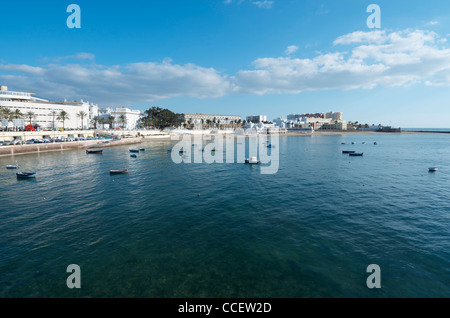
{"x":375,"y":58}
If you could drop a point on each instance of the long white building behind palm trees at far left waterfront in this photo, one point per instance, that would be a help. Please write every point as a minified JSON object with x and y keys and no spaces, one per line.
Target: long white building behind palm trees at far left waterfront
{"x":45,"y":112}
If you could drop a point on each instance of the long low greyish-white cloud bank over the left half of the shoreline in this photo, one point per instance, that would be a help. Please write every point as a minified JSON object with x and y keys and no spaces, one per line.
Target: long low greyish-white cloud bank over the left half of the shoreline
{"x":137,"y":82}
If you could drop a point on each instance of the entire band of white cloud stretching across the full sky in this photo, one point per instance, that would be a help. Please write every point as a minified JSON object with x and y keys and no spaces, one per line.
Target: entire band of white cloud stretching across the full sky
{"x":359,"y":60}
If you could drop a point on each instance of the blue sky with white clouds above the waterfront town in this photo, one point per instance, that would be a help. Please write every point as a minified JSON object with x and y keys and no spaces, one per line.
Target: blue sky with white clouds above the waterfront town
{"x":243,"y":57}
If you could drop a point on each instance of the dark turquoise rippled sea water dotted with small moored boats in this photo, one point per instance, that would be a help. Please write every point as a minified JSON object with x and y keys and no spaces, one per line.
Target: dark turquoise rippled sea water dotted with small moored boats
{"x":309,"y":230}
